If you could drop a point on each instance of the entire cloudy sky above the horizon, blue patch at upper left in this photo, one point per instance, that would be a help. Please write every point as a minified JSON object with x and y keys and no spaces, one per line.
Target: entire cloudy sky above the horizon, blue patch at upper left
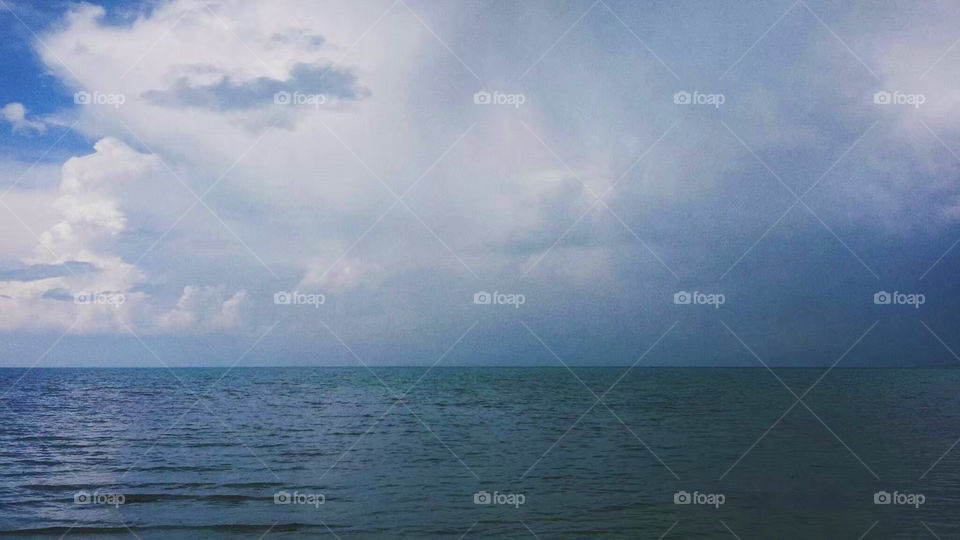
{"x":666,"y":183}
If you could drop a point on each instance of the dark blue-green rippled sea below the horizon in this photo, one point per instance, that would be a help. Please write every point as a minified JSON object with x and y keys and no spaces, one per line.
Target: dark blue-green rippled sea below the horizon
{"x":197,"y":456}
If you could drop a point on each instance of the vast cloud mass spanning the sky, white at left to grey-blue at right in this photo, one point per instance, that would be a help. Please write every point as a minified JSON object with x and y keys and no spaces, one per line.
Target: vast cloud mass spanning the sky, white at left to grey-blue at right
{"x":498,"y":189}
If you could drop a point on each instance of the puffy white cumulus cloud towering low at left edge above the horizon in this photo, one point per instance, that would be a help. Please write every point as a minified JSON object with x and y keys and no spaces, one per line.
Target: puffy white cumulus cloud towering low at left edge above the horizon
{"x":75,"y":278}
